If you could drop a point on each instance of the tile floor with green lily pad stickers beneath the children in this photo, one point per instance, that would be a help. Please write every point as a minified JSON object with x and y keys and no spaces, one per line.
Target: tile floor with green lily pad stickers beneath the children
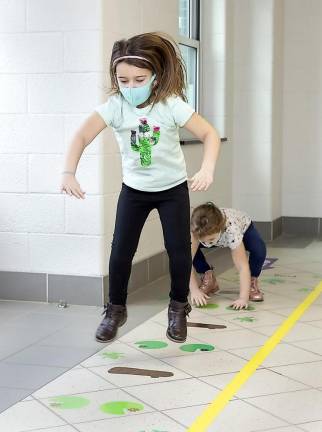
{"x":283,"y":395}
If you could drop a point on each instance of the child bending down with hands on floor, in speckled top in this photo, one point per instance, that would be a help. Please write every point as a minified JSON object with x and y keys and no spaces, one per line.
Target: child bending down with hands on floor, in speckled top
{"x":226,"y":227}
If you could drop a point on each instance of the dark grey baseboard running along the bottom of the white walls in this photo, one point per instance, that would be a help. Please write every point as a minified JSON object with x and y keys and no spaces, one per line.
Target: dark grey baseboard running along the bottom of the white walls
{"x":93,"y":291}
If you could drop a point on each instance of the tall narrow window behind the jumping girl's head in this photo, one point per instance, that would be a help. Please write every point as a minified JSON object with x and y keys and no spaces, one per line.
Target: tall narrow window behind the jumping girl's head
{"x":189,"y":12}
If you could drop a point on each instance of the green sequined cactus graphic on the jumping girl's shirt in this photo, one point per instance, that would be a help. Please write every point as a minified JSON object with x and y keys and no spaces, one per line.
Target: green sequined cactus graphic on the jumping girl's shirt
{"x":147,"y":139}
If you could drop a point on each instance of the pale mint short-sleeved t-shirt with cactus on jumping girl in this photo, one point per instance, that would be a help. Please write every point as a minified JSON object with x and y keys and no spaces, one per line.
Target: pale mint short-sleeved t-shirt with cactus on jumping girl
{"x":152,"y":158}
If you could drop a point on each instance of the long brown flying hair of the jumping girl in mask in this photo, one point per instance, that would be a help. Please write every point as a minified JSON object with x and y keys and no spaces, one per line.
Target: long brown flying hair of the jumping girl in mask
{"x":163,"y":59}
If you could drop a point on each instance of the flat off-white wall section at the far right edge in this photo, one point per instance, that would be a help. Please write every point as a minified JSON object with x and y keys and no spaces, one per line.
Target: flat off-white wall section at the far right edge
{"x":302,"y":116}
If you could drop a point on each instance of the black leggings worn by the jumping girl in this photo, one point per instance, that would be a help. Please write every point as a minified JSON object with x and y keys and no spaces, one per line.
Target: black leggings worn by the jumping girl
{"x":133,"y":209}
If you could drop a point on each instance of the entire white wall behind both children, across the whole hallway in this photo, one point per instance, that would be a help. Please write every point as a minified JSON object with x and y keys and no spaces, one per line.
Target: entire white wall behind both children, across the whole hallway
{"x":53,"y":62}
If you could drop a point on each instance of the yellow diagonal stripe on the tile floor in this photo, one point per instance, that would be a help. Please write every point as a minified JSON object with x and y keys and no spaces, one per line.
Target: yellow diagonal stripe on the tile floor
{"x":217,"y":405}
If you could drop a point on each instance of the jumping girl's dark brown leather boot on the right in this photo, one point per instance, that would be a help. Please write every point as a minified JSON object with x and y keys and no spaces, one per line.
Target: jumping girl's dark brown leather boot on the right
{"x":177,"y":328}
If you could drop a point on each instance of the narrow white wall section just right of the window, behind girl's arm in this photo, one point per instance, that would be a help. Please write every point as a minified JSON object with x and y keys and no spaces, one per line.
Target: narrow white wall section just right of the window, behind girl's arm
{"x":216,"y":94}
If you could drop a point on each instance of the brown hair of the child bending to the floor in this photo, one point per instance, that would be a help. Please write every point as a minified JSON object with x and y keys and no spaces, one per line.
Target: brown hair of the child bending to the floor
{"x":207,"y":219}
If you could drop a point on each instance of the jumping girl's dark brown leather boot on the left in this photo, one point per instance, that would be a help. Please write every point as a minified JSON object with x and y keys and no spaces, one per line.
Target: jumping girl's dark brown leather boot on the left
{"x":115,"y":317}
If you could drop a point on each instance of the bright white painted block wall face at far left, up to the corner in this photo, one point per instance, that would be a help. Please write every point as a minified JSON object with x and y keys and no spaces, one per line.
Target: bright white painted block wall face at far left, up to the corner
{"x":50,"y":63}
